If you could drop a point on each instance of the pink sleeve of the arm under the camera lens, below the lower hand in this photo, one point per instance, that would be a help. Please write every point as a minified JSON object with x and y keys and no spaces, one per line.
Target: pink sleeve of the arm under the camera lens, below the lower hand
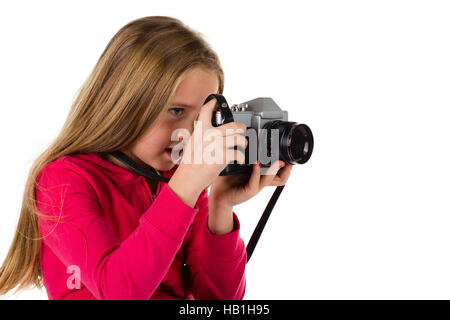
{"x":216,"y":262}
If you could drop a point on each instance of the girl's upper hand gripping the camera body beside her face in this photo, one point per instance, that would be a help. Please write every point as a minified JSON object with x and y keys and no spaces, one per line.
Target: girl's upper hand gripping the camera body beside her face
{"x":200,"y":164}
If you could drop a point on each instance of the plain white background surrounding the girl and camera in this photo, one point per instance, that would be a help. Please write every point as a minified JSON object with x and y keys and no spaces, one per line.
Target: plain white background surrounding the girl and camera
{"x":368,"y":216}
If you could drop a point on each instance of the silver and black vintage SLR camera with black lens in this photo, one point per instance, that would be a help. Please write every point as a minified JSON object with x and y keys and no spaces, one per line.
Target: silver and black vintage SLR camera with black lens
{"x":270,"y":135}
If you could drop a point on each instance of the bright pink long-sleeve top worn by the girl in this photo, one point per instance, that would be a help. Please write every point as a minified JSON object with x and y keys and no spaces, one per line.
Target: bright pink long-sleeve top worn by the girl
{"x":107,"y":237}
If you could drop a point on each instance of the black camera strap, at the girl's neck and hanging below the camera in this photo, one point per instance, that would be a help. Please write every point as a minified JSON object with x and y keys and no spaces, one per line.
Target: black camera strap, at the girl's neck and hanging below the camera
{"x":151,"y":174}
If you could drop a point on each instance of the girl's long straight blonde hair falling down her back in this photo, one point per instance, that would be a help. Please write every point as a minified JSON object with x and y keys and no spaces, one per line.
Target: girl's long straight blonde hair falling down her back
{"x":129,"y":88}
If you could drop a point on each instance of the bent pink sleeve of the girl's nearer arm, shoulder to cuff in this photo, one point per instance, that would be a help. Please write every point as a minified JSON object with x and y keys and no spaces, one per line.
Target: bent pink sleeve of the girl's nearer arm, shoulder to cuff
{"x":79,"y":234}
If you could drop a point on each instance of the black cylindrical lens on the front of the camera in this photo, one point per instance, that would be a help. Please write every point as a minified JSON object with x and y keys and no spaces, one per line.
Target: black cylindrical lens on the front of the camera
{"x":295,"y":141}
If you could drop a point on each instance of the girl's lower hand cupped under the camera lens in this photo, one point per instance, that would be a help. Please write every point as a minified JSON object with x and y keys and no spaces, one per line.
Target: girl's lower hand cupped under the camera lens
{"x":232,"y":190}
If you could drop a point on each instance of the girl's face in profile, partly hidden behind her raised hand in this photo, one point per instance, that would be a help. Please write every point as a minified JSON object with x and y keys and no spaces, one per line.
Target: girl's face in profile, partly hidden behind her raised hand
{"x":151,"y":148}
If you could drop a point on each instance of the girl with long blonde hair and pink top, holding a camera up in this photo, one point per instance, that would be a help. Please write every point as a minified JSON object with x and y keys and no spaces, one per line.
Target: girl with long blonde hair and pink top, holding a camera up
{"x":91,"y":227}
